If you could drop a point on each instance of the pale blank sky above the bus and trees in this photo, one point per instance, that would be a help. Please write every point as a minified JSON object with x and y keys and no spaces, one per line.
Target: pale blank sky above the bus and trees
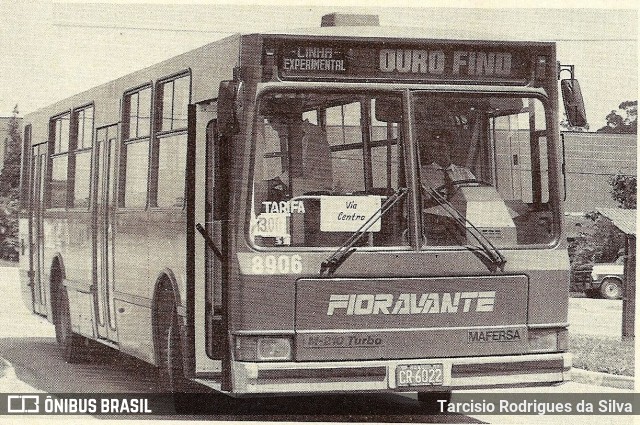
{"x":52,"y":50}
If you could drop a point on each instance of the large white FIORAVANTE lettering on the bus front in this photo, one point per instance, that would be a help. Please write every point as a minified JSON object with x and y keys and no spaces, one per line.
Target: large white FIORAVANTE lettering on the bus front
{"x":426,"y":303}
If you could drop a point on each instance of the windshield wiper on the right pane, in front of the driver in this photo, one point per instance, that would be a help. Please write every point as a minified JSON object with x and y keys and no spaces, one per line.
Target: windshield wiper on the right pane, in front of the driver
{"x":487,"y":252}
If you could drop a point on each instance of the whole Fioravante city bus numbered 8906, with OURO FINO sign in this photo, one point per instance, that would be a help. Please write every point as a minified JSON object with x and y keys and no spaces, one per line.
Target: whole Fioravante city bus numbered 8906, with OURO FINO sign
{"x":348,"y":208}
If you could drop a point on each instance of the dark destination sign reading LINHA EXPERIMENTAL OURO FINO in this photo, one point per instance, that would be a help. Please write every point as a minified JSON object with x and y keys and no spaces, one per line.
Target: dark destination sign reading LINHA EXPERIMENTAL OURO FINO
{"x":438,"y":62}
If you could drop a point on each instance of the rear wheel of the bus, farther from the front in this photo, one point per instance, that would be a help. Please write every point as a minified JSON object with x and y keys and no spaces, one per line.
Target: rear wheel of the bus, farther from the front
{"x":74,"y":346}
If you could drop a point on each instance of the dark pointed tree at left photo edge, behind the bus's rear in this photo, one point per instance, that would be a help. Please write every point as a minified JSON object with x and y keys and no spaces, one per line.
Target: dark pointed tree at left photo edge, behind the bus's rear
{"x":9,"y":190}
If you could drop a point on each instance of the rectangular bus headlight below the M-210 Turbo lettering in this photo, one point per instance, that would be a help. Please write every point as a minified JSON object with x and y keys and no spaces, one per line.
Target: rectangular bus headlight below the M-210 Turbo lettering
{"x":263,"y":348}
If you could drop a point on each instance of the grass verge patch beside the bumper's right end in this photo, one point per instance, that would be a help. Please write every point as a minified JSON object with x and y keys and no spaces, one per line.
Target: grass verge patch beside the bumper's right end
{"x":600,"y":354}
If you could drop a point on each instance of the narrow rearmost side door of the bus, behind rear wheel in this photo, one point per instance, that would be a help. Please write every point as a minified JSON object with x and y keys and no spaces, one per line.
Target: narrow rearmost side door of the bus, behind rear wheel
{"x":36,"y":258}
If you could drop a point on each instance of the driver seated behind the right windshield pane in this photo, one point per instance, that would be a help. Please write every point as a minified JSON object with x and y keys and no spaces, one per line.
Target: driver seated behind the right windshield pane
{"x":437,"y":168}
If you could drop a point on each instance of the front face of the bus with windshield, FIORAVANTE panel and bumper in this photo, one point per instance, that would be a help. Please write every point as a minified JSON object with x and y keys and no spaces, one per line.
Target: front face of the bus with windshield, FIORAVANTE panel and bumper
{"x":403,"y":235}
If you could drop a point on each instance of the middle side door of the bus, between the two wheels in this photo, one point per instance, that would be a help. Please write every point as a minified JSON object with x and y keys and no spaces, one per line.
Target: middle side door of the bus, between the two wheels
{"x":106,"y":141}
